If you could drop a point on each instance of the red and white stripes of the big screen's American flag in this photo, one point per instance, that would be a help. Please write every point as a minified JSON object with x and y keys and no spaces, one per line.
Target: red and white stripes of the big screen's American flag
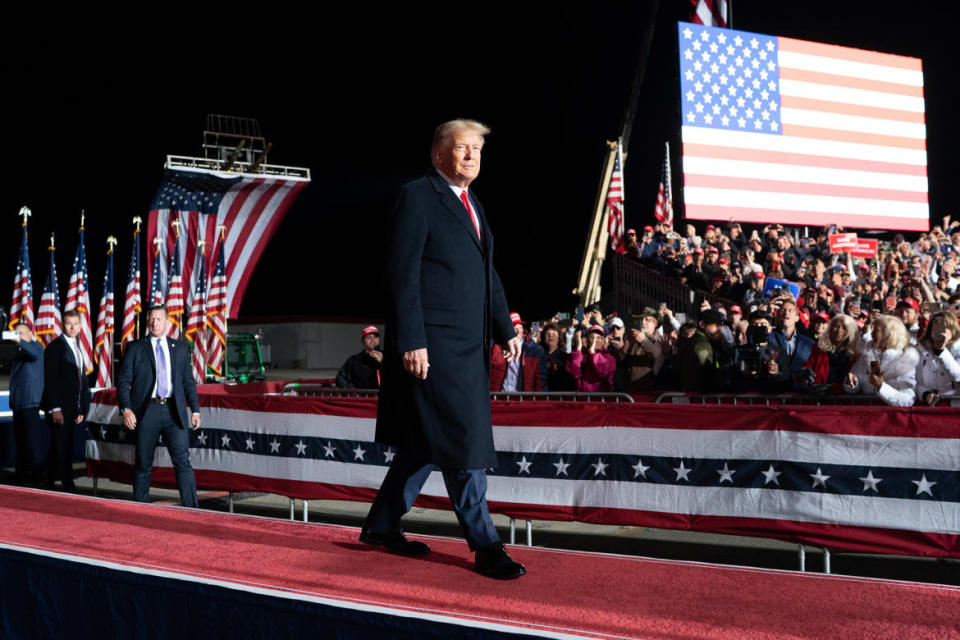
{"x":852,"y":150}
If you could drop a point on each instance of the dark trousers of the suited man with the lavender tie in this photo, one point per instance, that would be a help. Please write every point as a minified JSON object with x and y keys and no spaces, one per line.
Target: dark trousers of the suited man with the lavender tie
{"x":159,"y":419}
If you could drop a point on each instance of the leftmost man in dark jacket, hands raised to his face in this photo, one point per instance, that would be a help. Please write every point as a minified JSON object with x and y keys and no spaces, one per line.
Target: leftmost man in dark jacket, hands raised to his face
{"x":26,"y":392}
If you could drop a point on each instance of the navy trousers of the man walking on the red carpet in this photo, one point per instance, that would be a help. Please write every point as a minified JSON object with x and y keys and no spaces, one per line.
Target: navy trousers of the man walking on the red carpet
{"x":467,"y":489}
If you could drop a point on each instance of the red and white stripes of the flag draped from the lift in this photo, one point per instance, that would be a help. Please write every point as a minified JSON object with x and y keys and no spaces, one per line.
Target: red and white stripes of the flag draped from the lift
{"x":251,"y":211}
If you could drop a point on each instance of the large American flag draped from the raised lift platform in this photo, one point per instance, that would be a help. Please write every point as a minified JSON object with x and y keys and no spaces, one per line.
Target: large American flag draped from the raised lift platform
{"x":250,"y":206}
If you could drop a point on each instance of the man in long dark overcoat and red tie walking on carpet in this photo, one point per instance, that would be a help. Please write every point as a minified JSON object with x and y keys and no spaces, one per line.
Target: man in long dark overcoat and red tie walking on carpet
{"x":445,"y":306}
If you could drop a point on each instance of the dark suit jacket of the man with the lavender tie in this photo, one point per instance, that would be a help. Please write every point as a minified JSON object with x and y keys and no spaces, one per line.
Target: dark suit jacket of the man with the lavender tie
{"x":138,"y":371}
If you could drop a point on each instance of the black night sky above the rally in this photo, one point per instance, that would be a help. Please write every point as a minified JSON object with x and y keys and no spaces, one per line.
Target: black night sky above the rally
{"x":354,"y":96}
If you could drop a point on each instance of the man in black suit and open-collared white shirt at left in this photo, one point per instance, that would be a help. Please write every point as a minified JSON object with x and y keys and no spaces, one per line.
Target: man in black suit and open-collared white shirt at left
{"x":66,"y":398}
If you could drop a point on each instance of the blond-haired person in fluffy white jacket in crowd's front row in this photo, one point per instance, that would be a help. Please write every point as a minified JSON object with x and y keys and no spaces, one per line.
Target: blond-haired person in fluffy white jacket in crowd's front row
{"x":887,"y":366}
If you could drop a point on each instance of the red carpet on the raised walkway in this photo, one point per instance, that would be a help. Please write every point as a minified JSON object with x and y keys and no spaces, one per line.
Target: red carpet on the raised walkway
{"x":565,"y":593}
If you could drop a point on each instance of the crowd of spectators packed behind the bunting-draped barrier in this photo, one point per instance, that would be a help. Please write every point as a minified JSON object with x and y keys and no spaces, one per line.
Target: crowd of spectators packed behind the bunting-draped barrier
{"x":884,"y":326}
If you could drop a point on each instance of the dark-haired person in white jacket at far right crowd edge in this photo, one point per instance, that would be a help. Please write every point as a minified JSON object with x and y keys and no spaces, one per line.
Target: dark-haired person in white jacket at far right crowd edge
{"x":938,"y":372}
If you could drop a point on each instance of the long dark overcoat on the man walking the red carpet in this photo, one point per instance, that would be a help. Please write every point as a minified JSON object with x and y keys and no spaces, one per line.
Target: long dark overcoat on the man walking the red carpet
{"x":443,"y":294}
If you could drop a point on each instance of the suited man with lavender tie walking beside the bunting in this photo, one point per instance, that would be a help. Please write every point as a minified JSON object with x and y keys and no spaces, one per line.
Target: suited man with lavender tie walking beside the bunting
{"x":154,"y":386}
